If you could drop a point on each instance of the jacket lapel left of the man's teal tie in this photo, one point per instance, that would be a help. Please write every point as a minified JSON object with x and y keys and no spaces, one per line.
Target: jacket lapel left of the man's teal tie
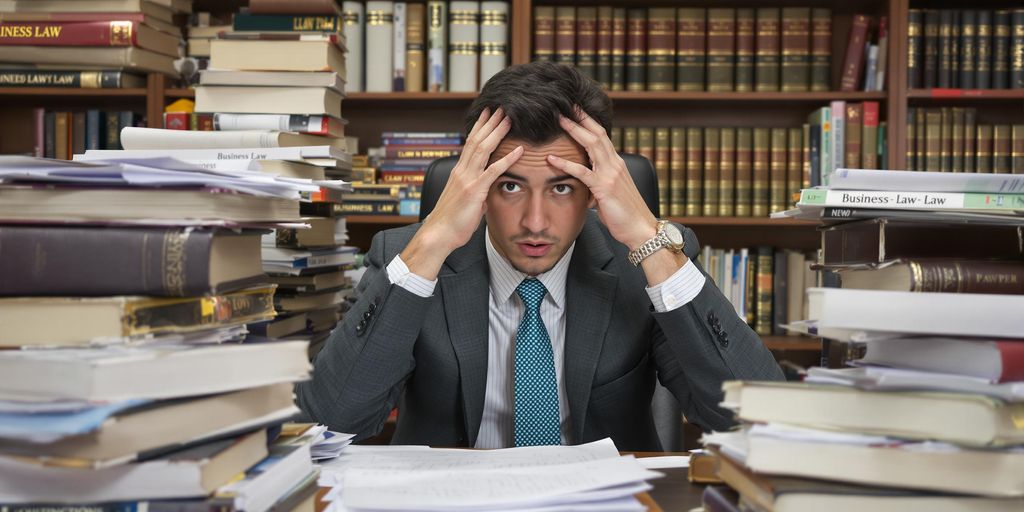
{"x":465,"y":294}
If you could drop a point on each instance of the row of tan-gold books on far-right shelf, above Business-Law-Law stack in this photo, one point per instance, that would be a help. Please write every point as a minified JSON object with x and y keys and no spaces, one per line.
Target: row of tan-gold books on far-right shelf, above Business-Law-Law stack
{"x":952,"y":140}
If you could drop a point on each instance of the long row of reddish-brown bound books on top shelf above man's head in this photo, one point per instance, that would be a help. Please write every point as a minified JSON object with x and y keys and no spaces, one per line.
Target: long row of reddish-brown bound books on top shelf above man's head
{"x":708,"y":50}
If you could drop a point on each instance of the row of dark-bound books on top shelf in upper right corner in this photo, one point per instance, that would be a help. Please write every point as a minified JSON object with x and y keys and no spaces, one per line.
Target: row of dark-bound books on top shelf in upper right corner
{"x":966,"y":49}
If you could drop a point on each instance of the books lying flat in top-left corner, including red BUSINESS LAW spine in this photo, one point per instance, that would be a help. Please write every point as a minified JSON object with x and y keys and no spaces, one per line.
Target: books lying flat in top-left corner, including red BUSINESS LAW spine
{"x":52,"y":44}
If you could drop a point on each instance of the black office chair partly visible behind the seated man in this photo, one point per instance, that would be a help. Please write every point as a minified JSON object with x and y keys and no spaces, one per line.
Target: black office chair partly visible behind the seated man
{"x":668,"y":413}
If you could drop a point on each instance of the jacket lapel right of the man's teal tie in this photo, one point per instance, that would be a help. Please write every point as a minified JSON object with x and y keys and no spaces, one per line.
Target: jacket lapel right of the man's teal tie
{"x":589,"y":296}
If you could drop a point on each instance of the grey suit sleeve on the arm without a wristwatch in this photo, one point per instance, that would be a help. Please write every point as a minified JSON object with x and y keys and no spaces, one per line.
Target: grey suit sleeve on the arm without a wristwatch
{"x":361,"y":373}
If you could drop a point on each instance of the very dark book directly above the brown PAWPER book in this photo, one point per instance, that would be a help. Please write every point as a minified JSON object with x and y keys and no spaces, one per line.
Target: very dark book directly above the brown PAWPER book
{"x":877,"y":241}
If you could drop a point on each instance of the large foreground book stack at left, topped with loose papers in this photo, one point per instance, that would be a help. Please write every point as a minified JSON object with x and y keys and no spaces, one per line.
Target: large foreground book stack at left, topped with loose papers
{"x":127,"y":286}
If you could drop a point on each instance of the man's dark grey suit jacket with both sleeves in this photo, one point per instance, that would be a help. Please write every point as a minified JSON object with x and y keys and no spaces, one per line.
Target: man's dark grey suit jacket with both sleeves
{"x":430,"y":356}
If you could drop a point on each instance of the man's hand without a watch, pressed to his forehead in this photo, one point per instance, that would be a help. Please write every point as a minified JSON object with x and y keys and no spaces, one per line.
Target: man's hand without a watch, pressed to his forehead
{"x":462,"y":203}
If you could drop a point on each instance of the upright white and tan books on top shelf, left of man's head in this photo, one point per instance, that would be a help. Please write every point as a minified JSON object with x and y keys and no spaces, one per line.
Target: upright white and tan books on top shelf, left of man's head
{"x":438,"y":47}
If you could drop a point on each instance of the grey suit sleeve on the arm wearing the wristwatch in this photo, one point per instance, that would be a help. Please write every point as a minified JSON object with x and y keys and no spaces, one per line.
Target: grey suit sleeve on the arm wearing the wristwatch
{"x":704,"y":344}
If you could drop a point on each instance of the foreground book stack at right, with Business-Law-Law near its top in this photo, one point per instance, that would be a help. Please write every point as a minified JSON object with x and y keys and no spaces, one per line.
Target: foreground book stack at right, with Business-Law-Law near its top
{"x":928,"y":417}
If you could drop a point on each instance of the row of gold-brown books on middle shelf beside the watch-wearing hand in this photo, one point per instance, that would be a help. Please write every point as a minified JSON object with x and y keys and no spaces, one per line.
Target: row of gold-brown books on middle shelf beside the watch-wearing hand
{"x":711,"y":172}
